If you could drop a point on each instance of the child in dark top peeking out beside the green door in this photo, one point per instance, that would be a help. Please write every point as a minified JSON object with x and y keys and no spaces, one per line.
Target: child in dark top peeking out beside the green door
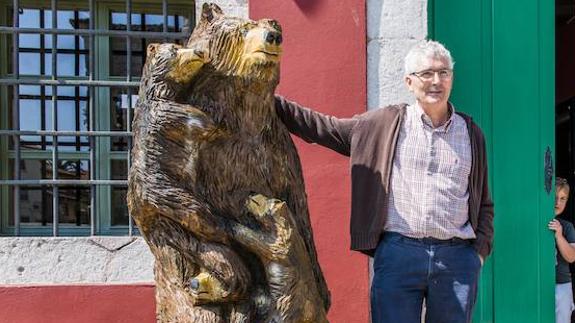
{"x":565,"y":243}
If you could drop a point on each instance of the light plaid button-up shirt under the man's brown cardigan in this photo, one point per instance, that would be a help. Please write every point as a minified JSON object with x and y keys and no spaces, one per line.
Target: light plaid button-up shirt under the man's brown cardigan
{"x":429,"y":178}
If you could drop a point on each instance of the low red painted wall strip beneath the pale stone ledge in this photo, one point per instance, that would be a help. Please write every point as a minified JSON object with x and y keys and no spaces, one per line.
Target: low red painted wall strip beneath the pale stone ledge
{"x":78,"y":303}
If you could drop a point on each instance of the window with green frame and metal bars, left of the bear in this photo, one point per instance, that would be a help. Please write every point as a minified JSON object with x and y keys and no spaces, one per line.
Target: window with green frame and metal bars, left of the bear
{"x":69,"y":72}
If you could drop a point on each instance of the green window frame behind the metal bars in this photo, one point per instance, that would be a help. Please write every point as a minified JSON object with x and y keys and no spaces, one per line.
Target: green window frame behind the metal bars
{"x":102,"y":115}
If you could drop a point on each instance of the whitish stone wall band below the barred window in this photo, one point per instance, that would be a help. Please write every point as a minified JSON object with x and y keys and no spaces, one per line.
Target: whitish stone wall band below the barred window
{"x":75,"y":260}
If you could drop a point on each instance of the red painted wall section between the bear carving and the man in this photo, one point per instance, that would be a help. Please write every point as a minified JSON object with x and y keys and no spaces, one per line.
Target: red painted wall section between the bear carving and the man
{"x":324,"y":67}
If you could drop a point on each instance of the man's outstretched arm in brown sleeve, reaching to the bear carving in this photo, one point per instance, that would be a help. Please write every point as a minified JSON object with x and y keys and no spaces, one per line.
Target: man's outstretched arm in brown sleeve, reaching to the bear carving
{"x":315,"y":127}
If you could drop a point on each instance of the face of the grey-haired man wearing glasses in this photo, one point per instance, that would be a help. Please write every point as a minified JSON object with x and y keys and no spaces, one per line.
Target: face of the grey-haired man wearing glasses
{"x":431,"y":84}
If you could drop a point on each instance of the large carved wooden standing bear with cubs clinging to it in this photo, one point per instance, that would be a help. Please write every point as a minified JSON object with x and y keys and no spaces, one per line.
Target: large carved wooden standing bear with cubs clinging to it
{"x":216,"y":186}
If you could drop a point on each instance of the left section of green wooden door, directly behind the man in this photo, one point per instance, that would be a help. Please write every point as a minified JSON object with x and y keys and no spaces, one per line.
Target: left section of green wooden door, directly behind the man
{"x":468,"y":36}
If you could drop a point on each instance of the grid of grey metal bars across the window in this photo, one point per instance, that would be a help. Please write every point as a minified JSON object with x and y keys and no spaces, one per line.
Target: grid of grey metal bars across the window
{"x":55,"y":185}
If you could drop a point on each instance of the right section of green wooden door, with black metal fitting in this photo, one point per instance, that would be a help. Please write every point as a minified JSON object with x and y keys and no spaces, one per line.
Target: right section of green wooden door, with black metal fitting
{"x":522,"y":99}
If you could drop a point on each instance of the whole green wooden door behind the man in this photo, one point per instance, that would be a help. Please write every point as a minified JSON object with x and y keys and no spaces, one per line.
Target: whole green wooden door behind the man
{"x":504,"y":78}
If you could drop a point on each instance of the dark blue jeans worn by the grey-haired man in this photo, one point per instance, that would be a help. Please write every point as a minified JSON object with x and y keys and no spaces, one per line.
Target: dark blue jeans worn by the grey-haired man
{"x":408,"y":271}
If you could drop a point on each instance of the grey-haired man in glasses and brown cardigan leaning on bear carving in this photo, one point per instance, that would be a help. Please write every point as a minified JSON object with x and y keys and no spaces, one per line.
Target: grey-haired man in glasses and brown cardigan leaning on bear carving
{"x":420,"y":202}
